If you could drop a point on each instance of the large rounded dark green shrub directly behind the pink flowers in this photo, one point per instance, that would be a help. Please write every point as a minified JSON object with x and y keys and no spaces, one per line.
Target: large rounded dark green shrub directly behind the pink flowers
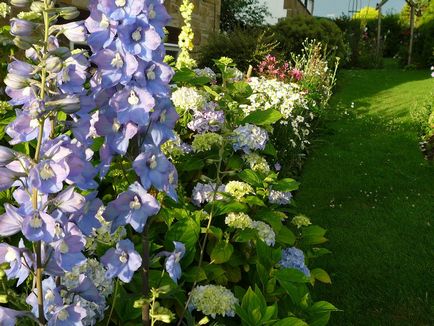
{"x":293,"y":31}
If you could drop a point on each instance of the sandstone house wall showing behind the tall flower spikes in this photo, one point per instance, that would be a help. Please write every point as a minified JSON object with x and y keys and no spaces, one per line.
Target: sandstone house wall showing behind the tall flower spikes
{"x":206,"y":16}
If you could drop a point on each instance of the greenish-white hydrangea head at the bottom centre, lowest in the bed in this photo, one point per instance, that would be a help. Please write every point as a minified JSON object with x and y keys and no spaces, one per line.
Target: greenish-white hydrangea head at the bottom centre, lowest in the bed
{"x":213,"y":300}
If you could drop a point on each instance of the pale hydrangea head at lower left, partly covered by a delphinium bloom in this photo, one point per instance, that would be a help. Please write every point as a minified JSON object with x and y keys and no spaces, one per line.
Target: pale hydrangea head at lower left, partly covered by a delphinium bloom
{"x":96,"y":273}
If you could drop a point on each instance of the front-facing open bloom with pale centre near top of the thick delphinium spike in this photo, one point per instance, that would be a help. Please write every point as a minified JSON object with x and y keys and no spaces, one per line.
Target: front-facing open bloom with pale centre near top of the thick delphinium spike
{"x":139,"y":38}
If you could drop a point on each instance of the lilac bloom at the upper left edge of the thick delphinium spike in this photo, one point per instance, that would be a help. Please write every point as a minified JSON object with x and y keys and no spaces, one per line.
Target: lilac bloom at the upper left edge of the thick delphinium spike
{"x":102,"y":30}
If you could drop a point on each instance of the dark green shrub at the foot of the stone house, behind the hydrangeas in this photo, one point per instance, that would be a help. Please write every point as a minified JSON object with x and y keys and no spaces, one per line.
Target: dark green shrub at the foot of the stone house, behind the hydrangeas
{"x":245,"y":46}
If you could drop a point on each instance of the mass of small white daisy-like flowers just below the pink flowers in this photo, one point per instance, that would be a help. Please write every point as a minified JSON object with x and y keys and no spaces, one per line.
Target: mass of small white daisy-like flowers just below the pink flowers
{"x":287,"y":98}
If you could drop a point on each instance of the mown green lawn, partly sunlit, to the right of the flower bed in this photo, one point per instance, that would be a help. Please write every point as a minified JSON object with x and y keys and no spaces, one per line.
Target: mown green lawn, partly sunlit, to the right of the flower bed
{"x":368,"y":184}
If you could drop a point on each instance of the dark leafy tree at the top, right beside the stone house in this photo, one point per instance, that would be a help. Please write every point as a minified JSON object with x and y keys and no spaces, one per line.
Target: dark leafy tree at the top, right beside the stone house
{"x":243,"y":13}
